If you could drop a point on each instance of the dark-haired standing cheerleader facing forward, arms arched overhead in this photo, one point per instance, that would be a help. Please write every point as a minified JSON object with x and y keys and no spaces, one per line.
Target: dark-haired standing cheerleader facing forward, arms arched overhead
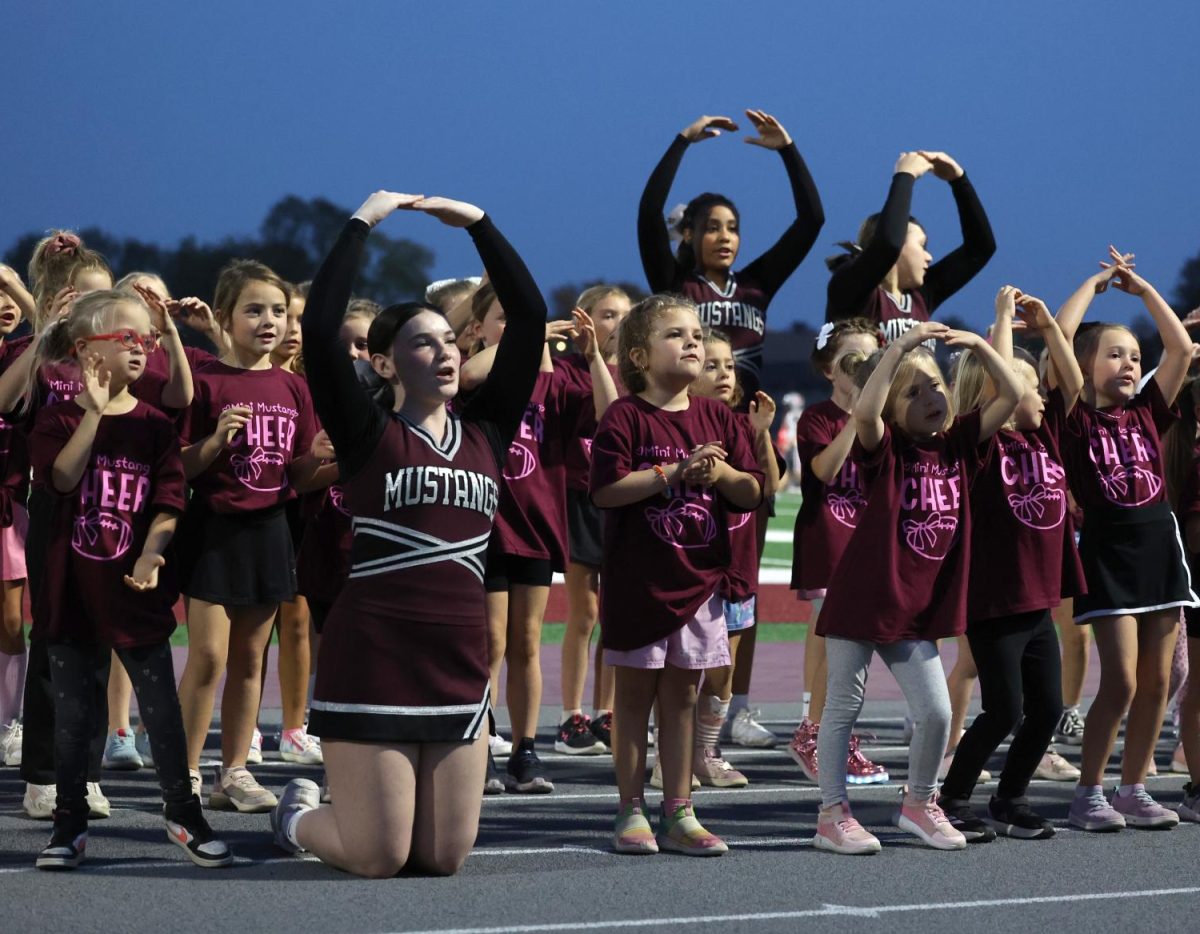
{"x":703,"y":268}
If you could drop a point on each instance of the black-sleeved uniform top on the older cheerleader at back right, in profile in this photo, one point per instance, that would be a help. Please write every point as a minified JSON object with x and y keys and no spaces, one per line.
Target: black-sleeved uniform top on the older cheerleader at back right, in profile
{"x":855,"y":286}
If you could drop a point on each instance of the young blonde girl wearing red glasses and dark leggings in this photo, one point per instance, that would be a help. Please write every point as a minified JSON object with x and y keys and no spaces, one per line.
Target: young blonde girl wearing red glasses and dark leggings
{"x":111,"y":469}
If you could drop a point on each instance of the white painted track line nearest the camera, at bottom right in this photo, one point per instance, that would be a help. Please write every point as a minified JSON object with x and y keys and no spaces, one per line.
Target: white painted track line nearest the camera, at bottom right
{"x":827,"y":911}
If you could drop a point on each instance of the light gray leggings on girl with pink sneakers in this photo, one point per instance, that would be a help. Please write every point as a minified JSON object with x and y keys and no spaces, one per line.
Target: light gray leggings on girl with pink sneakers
{"x":919,"y":670}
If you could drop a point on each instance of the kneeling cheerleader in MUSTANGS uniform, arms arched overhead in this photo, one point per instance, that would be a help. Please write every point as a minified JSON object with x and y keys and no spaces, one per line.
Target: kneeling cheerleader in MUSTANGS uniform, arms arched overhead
{"x":403,"y":681}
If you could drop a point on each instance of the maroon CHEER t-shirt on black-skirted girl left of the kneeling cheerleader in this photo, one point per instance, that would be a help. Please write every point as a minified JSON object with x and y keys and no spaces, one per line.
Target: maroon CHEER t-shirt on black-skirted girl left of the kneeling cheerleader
{"x":253,"y":471}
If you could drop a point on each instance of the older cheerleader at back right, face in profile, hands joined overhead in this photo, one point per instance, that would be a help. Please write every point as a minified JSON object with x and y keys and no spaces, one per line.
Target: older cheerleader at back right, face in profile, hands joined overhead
{"x":886,"y":276}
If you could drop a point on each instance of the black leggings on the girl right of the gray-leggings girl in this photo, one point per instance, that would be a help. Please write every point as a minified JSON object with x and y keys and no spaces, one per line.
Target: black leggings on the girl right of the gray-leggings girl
{"x":1021,"y":682}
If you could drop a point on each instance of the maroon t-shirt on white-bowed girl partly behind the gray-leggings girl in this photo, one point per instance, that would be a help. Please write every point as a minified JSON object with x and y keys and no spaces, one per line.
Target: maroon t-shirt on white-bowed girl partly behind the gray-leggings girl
{"x":829,"y":513}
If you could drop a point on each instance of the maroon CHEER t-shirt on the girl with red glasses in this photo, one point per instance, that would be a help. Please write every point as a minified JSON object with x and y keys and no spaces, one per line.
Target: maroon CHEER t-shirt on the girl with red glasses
{"x":98,"y":530}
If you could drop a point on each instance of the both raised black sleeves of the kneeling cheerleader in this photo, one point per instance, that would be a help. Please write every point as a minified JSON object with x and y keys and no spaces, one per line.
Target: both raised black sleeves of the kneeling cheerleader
{"x":356,"y":423}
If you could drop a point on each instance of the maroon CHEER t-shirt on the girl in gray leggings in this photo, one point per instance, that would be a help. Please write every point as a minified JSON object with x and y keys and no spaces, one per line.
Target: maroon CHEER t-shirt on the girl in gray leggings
{"x":904,"y":574}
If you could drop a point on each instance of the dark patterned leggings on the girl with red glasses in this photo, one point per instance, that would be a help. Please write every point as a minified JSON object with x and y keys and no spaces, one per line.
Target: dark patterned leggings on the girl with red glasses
{"x":80,"y":674}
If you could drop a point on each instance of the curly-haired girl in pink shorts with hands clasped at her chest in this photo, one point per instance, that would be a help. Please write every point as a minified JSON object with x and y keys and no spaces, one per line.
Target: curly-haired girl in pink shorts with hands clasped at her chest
{"x":670,"y":469}
